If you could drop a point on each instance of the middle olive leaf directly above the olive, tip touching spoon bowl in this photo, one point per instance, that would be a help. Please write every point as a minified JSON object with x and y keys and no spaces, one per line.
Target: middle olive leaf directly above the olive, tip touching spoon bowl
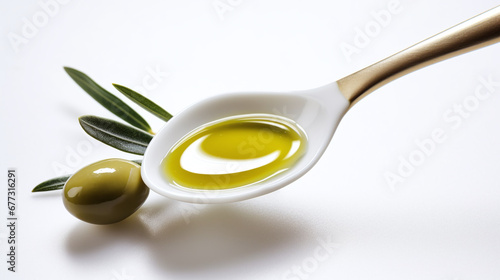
{"x":120,"y":136}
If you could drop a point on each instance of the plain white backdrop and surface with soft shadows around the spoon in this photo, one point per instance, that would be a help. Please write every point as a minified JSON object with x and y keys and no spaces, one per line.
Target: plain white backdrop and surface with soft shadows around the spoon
{"x":442,"y":222}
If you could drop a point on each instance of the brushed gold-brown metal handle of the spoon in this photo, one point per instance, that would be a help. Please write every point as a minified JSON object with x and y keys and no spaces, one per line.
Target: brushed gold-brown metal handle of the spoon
{"x":477,"y":32}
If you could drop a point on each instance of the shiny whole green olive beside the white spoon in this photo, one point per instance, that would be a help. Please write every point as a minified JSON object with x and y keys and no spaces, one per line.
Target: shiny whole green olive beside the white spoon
{"x":105,"y":192}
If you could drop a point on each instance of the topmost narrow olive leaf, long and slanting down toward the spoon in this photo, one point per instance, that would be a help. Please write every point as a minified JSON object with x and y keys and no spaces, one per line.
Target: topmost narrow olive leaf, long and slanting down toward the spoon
{"x":108,"y":100}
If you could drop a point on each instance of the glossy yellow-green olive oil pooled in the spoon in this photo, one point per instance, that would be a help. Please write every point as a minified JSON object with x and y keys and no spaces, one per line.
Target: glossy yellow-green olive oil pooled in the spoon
{"x":235,"y":152}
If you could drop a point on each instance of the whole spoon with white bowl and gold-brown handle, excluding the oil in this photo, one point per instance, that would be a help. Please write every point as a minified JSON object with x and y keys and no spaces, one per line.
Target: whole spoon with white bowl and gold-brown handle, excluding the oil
{"x":317,"y":111}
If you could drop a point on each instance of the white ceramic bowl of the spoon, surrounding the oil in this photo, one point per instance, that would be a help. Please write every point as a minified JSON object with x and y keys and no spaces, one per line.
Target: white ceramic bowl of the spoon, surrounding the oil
{"x":317,"y":111}
